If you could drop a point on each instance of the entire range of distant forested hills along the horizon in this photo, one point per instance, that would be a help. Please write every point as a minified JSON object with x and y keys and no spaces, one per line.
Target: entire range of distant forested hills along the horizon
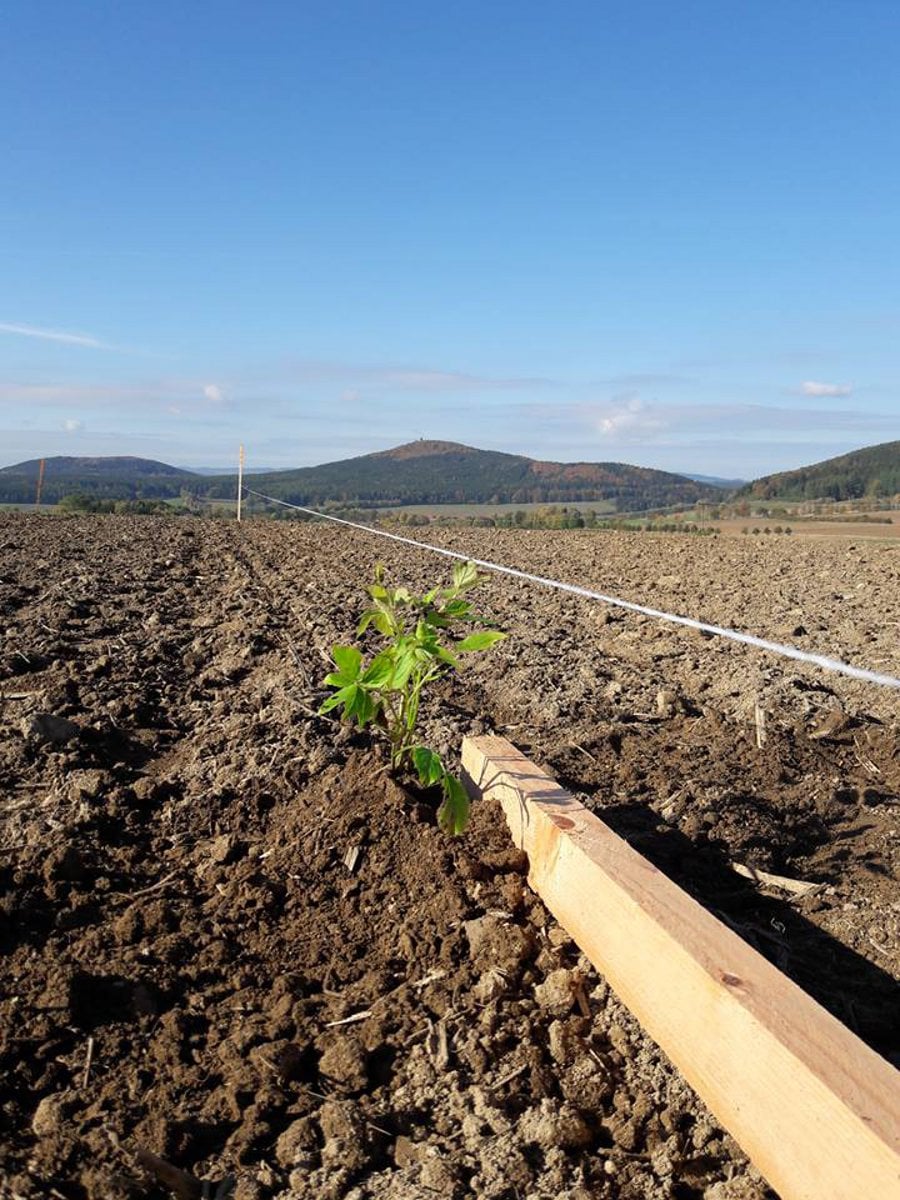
{"x":452,"y":473}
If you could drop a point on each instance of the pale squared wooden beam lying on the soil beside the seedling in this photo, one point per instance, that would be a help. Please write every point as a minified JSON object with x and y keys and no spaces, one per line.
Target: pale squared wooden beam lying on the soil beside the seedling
{"x":814,"y":1108}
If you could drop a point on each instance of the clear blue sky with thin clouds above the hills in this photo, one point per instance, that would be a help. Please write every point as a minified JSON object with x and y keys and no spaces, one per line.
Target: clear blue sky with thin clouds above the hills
{"x":644,"y":232}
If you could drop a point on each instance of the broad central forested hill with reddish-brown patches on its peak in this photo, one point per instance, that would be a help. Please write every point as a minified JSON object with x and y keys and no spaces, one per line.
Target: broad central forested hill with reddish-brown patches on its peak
{"x":451,"y":473}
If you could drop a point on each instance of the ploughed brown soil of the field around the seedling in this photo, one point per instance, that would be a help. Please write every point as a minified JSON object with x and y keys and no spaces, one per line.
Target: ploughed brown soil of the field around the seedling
{"x":185,"y":944}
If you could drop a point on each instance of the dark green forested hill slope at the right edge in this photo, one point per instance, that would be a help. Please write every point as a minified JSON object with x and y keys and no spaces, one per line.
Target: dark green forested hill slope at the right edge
{"x":874,"y":471}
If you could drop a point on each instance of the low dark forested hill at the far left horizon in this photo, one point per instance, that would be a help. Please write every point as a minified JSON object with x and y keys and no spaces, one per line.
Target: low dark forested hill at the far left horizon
{"x":109,"y":479}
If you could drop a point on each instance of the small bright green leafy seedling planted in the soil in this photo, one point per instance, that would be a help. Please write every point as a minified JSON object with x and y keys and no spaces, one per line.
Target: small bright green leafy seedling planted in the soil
{"x":421,"y":647}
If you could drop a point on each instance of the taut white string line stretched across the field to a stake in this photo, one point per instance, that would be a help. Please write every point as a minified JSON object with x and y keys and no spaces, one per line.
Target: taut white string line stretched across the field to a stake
{"x":788,"y":652}
